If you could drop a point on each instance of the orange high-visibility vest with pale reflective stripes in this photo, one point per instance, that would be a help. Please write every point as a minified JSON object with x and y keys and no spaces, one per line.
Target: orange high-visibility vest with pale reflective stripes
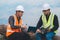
{"x":10,"y":30}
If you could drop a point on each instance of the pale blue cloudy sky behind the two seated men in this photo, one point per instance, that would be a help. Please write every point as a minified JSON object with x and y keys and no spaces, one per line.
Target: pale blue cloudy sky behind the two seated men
{"x":32,"y":9}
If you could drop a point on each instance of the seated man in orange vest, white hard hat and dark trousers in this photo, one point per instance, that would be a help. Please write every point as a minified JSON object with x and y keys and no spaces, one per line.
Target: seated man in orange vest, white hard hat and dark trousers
{"x":15,"y":27}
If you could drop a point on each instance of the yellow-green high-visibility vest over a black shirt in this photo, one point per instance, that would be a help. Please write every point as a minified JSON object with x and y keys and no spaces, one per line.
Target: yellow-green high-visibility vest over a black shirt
{"x":49,"y":22}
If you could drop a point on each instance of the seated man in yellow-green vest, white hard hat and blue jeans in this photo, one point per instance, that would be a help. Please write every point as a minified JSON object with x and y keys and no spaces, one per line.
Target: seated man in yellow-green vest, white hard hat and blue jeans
{"x":47,"y":19}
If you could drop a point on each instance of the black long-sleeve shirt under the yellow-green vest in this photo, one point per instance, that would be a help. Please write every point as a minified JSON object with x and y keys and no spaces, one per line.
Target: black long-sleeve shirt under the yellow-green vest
{"x":55,"y":22}
